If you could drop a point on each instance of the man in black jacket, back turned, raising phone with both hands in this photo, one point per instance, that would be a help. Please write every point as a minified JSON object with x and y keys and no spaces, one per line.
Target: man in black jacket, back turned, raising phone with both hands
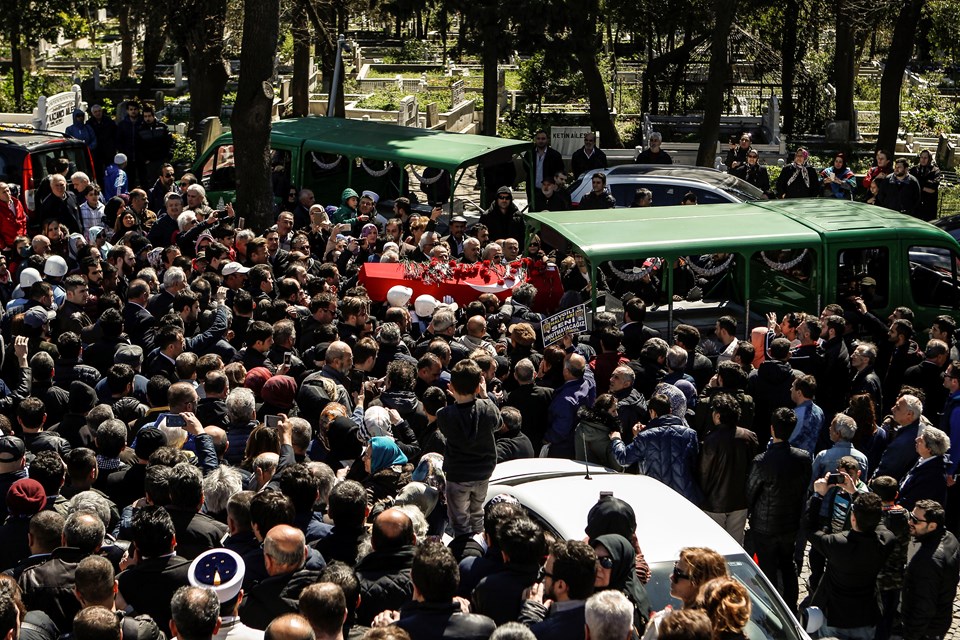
{"x":847,"y":593}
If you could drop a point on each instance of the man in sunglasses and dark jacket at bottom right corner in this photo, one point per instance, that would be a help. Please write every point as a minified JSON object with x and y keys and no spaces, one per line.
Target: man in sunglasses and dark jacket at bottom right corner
{"x":930,"y":583}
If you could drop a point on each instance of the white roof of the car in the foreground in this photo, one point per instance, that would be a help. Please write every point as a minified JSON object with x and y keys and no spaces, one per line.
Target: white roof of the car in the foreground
{"x":560,"y":495}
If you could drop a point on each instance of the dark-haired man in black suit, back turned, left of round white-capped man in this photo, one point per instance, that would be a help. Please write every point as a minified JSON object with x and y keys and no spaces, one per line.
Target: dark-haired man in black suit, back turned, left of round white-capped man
{"x":148,"y":586}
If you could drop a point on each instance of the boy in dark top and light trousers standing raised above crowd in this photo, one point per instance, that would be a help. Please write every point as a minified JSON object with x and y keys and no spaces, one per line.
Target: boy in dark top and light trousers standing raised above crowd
{"x":471,"y":453}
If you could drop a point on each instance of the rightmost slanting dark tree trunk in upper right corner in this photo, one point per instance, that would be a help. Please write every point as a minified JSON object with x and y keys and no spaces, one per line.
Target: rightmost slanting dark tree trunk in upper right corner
{"x":901,"y":48}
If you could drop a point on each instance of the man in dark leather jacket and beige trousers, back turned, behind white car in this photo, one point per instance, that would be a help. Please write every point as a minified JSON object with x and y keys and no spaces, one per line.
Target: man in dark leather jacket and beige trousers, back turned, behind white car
{"x":725,"y":455}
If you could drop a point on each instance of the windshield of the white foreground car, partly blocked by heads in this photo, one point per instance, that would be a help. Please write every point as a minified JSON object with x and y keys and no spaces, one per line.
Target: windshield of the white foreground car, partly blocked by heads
{"x":769,"y":619}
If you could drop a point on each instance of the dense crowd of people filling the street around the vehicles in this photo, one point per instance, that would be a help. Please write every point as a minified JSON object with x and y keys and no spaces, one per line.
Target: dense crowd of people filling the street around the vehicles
{"x":214,"y":432}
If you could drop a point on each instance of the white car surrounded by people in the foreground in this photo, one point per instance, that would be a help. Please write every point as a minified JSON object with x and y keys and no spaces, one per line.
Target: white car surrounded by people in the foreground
{"x":558,"y":494}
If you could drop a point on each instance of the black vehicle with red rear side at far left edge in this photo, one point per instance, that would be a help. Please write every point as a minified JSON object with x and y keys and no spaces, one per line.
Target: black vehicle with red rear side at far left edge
{"x":26,"y":154}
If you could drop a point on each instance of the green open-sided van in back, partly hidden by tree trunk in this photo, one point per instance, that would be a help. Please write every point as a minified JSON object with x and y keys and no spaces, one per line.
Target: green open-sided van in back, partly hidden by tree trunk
{"x":326,"y":155}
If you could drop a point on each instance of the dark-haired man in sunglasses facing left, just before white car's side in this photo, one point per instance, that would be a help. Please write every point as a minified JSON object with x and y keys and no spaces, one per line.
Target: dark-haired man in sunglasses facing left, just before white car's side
{"x":567,"y":579}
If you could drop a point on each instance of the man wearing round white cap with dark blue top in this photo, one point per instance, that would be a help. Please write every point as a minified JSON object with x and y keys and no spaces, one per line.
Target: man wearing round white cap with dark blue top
{"x":222,"y":570}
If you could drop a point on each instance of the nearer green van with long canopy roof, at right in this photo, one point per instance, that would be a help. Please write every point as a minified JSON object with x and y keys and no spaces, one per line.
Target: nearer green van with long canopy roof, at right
{"x":784,"y":255}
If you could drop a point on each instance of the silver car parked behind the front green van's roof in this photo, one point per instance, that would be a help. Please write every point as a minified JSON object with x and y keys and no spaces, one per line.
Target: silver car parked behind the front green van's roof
{"x":668,"y":183}
